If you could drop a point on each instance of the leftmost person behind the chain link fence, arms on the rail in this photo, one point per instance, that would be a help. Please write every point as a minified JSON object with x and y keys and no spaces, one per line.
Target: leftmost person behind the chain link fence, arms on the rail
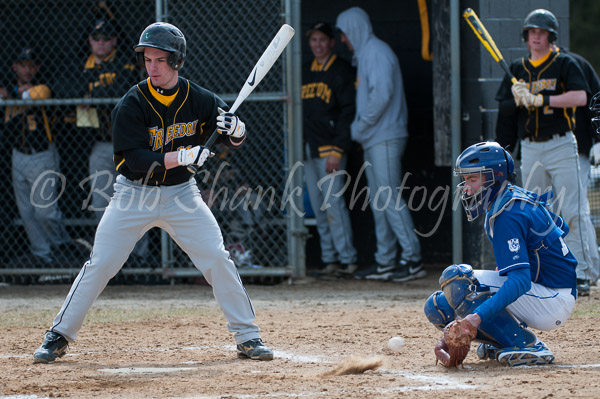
{"x":34,"y":154}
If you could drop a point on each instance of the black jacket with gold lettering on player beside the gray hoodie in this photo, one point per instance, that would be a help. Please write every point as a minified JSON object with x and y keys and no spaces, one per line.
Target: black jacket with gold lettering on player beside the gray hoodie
{"x":328,"y":102}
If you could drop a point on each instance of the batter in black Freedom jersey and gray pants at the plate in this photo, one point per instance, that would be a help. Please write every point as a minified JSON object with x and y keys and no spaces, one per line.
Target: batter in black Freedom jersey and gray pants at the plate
{"x":159,"y":127}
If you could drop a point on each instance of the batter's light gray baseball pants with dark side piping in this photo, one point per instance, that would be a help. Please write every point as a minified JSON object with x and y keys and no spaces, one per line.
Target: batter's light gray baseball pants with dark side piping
{"x":180,"y":211}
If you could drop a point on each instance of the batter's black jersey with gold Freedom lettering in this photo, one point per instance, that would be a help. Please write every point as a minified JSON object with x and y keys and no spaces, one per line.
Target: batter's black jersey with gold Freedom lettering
{"x":141,"y":121}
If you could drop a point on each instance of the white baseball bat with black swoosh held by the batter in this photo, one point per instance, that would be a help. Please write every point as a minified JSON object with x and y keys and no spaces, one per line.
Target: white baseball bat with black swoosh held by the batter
{"x":262,"y":67}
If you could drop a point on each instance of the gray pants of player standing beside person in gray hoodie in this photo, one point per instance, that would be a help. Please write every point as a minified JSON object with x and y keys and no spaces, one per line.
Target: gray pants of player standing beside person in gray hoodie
{"x":326,"y":193}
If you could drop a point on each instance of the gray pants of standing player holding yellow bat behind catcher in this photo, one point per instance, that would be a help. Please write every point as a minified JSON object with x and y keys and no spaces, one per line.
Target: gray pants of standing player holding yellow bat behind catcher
{"x":555,"y":164}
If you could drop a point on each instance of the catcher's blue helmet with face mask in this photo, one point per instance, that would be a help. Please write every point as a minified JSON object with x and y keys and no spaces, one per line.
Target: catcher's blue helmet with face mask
{"x":494,"y":165}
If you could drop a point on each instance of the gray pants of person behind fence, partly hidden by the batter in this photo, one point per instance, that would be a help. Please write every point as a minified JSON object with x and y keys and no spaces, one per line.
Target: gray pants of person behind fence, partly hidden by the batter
{"x":102,"y":179}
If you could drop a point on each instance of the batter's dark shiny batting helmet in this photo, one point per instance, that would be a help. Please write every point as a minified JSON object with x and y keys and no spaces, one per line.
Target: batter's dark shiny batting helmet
{"x":162,"y":36}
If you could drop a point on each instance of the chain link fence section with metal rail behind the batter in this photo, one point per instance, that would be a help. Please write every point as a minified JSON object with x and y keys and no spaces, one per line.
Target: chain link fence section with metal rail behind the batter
{"x":56,"y":133}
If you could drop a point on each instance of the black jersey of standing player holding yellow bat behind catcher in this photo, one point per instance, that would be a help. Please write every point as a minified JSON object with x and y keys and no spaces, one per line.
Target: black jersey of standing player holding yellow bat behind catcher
{"x":557,"y":74}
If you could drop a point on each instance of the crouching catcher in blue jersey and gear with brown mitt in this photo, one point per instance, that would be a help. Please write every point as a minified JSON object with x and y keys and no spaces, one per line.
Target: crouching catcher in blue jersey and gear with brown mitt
{"x":534,"y":284}
